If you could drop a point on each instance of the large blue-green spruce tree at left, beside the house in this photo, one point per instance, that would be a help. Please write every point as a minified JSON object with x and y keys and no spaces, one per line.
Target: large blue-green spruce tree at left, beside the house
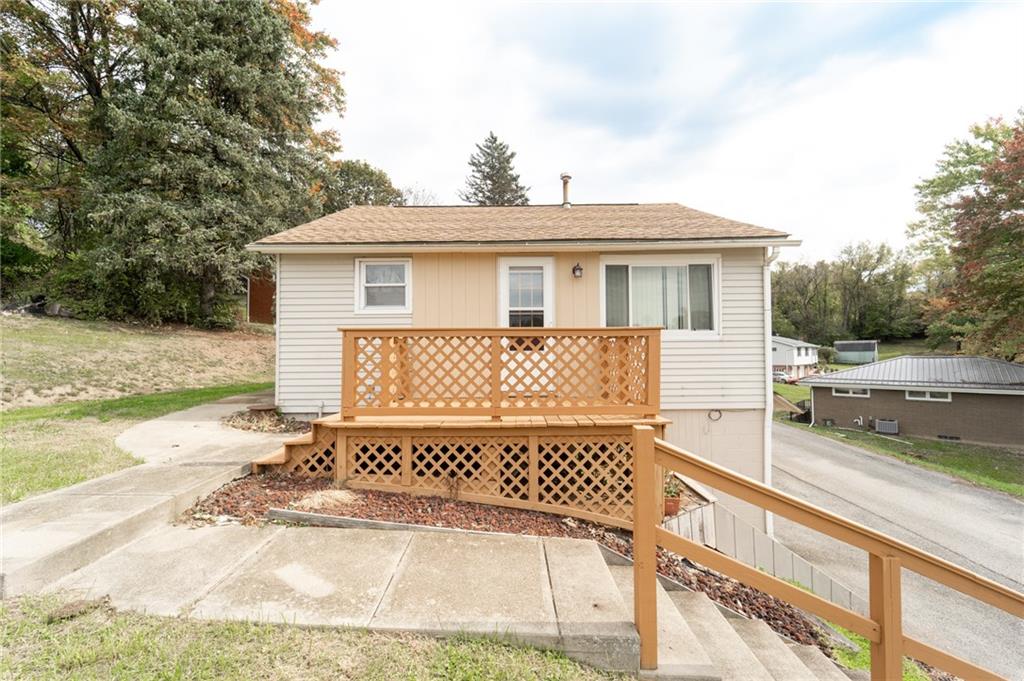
{"x":212,"y":149}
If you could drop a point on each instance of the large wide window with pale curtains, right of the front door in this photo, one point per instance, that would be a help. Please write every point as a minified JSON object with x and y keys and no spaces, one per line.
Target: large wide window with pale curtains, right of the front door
{"x":675,"y":297}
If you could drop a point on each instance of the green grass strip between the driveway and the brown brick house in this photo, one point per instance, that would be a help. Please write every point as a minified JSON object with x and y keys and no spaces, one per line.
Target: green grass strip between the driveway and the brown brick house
{"x":989,"y":466}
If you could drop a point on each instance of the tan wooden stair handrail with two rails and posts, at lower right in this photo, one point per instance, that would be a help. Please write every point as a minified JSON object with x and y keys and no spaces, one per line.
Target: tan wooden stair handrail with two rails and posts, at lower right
{"x":886,"y":559}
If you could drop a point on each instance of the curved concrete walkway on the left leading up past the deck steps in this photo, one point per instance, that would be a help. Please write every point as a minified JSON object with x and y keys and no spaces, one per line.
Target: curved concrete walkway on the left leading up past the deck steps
{"x":189,"y":454}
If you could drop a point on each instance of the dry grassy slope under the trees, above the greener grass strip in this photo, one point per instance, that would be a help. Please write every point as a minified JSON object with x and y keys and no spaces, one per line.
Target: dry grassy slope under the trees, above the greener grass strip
{"x":48,"y":361}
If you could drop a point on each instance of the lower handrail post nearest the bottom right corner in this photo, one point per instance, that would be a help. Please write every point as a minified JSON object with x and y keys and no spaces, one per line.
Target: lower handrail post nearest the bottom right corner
{"x":886,"y":610}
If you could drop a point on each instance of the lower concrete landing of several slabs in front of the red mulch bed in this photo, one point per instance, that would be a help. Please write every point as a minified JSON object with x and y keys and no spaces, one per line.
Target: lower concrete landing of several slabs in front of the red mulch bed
{"x":550,"y":592}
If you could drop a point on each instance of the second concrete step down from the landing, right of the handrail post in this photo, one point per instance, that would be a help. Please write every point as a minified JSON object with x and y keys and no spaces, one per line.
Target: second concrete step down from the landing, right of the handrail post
{"x":731,"y":656}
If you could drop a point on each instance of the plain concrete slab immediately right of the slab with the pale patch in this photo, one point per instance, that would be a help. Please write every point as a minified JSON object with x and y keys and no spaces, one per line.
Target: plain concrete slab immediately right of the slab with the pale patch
{"x":479,"y":584}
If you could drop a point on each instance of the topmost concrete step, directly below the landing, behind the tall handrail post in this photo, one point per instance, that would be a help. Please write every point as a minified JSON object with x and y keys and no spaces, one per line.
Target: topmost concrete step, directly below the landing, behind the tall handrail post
{"x":680,"y":655}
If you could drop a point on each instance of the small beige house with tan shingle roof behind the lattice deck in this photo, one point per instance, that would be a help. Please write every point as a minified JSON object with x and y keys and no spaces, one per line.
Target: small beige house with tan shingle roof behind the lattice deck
{"x":702,"y":278}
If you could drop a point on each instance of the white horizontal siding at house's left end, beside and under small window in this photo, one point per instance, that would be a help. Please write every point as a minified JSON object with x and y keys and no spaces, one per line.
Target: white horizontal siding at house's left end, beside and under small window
{"x":316,"y":295}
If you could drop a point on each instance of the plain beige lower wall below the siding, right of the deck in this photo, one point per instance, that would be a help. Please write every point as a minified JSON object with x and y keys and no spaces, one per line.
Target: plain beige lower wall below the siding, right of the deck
{"x":736,"y":440}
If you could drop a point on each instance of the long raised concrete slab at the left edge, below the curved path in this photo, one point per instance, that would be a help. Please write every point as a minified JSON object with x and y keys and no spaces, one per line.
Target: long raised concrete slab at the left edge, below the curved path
{"x":50,"y":537}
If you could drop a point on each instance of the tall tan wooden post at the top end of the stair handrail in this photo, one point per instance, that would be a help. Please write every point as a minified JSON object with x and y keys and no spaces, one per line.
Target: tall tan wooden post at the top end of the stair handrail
{"x":645,"y":545}
